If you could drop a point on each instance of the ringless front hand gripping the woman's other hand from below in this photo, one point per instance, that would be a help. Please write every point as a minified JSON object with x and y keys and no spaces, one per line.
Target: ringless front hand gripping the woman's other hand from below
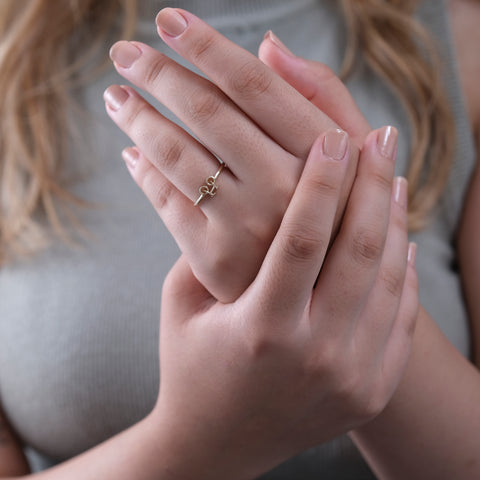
{"x":300,"y":357}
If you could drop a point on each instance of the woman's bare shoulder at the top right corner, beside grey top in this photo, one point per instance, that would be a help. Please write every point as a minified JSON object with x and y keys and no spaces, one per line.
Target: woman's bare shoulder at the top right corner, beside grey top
{"x":465,"y":21}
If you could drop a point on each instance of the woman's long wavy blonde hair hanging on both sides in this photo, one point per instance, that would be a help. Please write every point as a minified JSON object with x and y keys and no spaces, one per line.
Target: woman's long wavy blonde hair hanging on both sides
{"x":36,"y":73}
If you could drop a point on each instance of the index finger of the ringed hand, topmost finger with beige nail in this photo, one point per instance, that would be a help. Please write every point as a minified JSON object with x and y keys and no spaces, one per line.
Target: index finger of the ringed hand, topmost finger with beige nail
{"x":281,"y":111}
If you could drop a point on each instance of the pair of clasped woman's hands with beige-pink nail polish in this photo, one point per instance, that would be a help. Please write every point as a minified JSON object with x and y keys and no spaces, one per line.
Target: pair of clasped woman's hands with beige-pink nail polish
{"x":289,"y":317}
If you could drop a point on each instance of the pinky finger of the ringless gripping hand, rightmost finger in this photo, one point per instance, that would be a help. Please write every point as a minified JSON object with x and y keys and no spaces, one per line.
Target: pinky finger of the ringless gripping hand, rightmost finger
{"x":398,"y":346}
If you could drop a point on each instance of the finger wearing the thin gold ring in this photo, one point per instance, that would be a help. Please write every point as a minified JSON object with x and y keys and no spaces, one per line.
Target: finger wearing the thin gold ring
{"x":173,"y":152}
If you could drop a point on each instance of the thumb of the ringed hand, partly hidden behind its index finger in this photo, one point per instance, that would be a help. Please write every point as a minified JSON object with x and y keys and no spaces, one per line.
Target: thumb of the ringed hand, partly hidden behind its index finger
{"x":318,"y":83}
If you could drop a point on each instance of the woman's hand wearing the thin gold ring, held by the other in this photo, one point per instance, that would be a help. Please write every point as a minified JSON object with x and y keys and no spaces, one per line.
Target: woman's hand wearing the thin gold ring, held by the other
{"x":246,"y":115}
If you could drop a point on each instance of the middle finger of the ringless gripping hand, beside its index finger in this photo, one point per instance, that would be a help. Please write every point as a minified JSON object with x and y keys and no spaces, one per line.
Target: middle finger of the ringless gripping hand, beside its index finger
{"x":353,"y":261}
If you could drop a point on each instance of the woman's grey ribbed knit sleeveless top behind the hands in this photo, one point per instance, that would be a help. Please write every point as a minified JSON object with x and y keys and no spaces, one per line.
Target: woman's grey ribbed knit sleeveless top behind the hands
{"x":79,"y":328}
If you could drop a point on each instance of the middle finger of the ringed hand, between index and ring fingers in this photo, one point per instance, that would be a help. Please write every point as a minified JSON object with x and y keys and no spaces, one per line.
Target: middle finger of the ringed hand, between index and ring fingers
{"x":222,"y":127}
